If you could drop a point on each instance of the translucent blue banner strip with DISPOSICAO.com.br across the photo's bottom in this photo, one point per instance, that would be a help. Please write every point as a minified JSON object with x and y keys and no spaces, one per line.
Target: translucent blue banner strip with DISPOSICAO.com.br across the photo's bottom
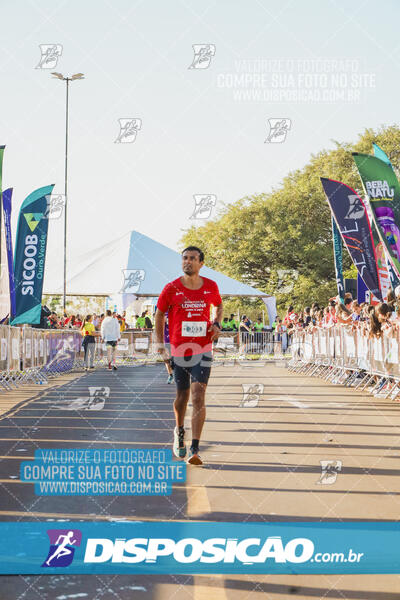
{"x":199,"y":547}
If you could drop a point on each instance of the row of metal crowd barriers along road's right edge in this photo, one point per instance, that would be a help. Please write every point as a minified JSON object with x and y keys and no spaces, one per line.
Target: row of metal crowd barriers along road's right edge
{"x":344,"y":356}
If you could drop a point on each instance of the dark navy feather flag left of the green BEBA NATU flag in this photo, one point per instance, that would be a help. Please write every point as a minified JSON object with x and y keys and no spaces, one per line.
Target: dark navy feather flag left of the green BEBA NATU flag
{"x":352,"y":220}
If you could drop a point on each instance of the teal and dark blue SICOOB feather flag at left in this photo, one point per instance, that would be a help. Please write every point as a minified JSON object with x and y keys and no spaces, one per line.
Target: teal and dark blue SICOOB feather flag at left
{"x":30,"y":256}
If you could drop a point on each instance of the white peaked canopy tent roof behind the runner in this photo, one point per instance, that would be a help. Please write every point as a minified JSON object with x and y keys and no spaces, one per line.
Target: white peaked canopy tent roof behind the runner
{"x":133,"y":264}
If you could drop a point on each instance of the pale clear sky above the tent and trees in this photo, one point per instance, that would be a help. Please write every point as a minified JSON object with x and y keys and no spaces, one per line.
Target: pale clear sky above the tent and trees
{"x":198,"y":136}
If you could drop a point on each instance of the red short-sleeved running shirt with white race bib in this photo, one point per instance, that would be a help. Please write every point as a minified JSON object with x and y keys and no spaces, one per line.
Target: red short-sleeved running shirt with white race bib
{"x":189,"y":315}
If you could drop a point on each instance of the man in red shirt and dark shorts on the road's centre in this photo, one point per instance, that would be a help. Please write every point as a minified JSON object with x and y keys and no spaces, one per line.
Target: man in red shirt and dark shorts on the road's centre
{"x":187,"y":300}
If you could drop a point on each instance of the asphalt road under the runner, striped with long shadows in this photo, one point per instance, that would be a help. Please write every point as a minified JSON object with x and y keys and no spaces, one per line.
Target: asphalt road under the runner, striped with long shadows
{"x":265,"y":435}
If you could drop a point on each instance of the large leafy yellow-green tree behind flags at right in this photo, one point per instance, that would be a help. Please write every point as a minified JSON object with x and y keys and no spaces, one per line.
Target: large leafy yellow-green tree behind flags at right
{"x":281,"y":242}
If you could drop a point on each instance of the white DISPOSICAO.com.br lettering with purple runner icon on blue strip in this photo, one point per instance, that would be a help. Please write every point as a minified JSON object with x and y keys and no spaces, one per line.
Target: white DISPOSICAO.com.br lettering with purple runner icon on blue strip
{"x":210,"y":554}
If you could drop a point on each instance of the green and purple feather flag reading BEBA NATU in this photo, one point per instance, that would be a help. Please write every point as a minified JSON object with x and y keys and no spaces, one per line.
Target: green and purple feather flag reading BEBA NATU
{"x":383,"y":190}
